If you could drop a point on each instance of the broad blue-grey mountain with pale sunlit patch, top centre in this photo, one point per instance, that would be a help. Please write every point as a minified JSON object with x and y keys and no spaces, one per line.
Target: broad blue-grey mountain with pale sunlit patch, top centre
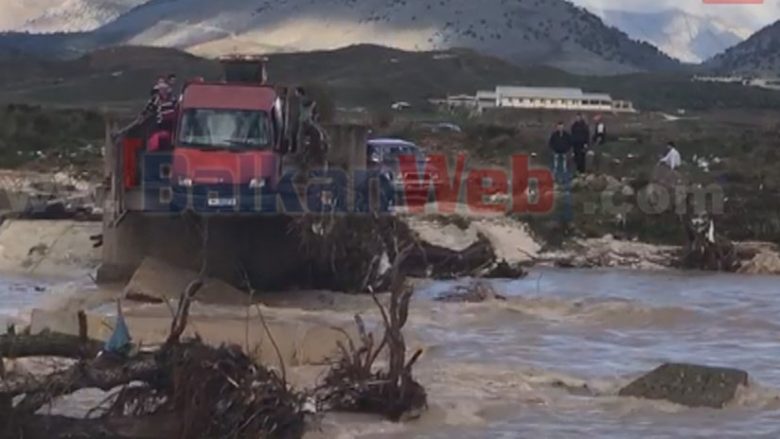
{"x":551,"y":32}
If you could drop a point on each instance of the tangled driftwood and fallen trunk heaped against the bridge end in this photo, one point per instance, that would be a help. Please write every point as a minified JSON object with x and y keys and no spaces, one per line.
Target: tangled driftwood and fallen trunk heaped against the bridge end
{"x":355,"y":253}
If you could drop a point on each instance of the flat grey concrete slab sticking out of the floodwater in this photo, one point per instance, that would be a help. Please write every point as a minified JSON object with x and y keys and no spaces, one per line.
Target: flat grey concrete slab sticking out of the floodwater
{"x":689,"y":385}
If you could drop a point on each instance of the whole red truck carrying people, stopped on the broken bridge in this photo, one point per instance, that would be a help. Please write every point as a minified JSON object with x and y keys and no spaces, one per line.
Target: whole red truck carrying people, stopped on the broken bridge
{"x":226,"y":151}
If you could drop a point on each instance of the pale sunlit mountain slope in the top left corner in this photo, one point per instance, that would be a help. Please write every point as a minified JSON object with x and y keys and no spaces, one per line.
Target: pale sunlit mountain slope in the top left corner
{"x":44,"y":16}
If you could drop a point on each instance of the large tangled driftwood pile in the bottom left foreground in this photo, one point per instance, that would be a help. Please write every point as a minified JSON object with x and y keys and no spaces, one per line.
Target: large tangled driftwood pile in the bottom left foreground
{"x":204,"y":391}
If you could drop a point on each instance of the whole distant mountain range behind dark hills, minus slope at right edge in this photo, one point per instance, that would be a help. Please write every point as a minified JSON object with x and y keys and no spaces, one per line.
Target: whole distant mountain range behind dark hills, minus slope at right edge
{"x":526,"y":32}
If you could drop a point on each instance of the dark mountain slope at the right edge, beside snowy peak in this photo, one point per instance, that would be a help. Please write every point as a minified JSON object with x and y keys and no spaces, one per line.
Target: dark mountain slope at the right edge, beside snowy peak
{"x":758,"y":55}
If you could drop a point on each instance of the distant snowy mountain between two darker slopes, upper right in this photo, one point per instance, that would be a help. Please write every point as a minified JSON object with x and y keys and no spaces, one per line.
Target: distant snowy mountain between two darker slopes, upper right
{"x":687,"y":37}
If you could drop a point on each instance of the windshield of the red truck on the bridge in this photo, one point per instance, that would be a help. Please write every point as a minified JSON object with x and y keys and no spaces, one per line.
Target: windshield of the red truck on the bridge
{"x":225,"y":129}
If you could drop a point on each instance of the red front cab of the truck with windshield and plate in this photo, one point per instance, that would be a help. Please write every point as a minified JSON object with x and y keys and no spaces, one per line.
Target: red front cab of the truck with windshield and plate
{"x":227,"y":146}
